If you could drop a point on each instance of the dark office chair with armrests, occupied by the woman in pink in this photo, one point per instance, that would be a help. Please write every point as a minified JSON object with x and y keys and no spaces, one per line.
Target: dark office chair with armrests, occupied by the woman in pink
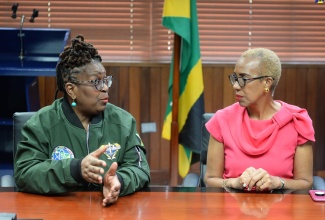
{"x":193,"y":180}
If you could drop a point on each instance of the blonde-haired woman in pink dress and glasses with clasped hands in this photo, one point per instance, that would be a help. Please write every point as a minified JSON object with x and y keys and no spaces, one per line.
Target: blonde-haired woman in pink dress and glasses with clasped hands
{"x":259,"y":143}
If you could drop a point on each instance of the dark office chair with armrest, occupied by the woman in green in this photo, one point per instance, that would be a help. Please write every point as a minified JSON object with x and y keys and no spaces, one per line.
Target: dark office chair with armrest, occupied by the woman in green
{"x":19,"y":119}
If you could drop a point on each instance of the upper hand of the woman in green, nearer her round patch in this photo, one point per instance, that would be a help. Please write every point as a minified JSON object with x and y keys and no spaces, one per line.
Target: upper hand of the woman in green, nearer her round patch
{"x":91,"y":166}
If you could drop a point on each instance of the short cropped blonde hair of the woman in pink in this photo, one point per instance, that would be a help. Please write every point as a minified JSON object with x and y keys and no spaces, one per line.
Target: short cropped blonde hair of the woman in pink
{"x":269,"y":63}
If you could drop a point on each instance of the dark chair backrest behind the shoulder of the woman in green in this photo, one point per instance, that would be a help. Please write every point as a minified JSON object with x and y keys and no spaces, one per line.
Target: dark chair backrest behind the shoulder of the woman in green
{"x":19,"y":119}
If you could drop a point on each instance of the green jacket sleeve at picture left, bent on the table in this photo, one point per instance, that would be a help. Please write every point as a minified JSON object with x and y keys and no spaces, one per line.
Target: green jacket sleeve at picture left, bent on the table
{"x":35,"y":171}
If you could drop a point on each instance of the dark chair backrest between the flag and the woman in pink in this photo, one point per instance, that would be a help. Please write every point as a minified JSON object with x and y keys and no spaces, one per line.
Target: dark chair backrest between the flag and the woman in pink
{"x":205,"y":136}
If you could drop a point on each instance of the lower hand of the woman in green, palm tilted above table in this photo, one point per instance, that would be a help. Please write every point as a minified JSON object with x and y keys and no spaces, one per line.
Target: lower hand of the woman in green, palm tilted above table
{"x":112,"y":186}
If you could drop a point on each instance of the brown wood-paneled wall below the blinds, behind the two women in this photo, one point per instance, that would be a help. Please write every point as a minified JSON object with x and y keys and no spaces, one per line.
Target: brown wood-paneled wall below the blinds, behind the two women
{"x":141,"y":89}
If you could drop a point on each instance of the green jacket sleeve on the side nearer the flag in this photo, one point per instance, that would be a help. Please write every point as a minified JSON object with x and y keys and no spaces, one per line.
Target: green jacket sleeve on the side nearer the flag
{"x":134,"y":168}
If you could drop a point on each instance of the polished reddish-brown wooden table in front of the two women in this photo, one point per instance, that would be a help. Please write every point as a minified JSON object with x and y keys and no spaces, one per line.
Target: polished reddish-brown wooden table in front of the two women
{"x":165,"y":203}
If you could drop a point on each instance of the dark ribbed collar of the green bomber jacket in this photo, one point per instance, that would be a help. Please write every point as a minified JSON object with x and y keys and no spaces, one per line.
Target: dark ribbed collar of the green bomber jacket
{"x":73,"y":118}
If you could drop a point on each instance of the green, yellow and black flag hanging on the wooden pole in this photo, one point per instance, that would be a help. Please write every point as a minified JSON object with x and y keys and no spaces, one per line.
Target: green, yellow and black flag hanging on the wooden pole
{"x":180,"y":16}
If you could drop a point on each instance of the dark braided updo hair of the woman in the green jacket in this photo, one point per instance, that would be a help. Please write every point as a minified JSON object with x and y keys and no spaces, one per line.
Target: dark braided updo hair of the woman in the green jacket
{"x":73,"y":60}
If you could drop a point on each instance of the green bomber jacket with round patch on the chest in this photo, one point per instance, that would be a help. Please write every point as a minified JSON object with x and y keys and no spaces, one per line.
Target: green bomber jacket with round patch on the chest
{"x":54,"y":142}
